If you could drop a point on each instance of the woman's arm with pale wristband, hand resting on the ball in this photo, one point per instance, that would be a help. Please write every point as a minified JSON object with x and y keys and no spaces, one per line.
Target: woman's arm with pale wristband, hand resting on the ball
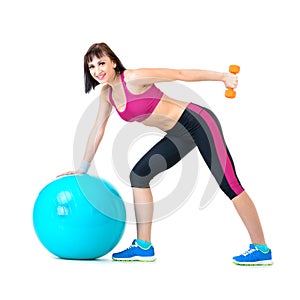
{"x":96,"y":134}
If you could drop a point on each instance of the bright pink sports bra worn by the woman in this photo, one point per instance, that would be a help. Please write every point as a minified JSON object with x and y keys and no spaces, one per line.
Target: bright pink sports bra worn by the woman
{"x":138,"y":106}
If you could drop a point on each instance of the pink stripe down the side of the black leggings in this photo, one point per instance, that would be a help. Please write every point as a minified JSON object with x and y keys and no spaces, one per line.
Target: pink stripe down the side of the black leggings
{"x":224,"y":159}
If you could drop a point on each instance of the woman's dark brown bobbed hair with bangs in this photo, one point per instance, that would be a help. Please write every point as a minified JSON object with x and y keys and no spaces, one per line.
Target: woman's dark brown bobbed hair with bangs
{"x":98,"y":50}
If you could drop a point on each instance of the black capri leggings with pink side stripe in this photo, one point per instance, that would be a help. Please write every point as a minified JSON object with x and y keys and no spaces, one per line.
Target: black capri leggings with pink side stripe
{"x":197,"y":126}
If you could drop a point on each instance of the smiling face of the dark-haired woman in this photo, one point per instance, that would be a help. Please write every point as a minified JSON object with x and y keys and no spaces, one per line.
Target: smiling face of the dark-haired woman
{"x":102,"y":69}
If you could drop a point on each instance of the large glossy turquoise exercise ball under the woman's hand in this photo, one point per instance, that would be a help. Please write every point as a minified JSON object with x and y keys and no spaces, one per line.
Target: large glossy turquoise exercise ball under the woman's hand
{"x":79,"y":217}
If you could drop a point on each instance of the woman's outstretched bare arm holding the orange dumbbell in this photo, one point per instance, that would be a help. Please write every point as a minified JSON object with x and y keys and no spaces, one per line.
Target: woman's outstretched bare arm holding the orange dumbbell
{"x":149,"y":76}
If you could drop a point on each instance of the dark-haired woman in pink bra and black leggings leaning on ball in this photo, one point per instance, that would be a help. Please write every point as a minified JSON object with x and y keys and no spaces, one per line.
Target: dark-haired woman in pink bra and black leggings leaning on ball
{"x":136,"y":98}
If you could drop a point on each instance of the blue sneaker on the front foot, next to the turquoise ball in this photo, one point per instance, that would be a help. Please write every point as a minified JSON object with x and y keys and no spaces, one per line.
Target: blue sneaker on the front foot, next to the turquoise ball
{"x":135,"y":253}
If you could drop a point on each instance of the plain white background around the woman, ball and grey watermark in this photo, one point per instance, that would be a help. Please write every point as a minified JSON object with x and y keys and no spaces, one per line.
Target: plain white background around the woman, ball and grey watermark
{"x":42,"y":101}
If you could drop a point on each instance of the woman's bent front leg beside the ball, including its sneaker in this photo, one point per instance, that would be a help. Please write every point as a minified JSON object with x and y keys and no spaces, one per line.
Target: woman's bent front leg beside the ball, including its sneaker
{"x":162,"y":156}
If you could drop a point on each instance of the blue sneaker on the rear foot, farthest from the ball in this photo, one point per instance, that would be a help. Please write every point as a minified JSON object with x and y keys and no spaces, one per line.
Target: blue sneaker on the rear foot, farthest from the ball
{"x":254,"y":257}
